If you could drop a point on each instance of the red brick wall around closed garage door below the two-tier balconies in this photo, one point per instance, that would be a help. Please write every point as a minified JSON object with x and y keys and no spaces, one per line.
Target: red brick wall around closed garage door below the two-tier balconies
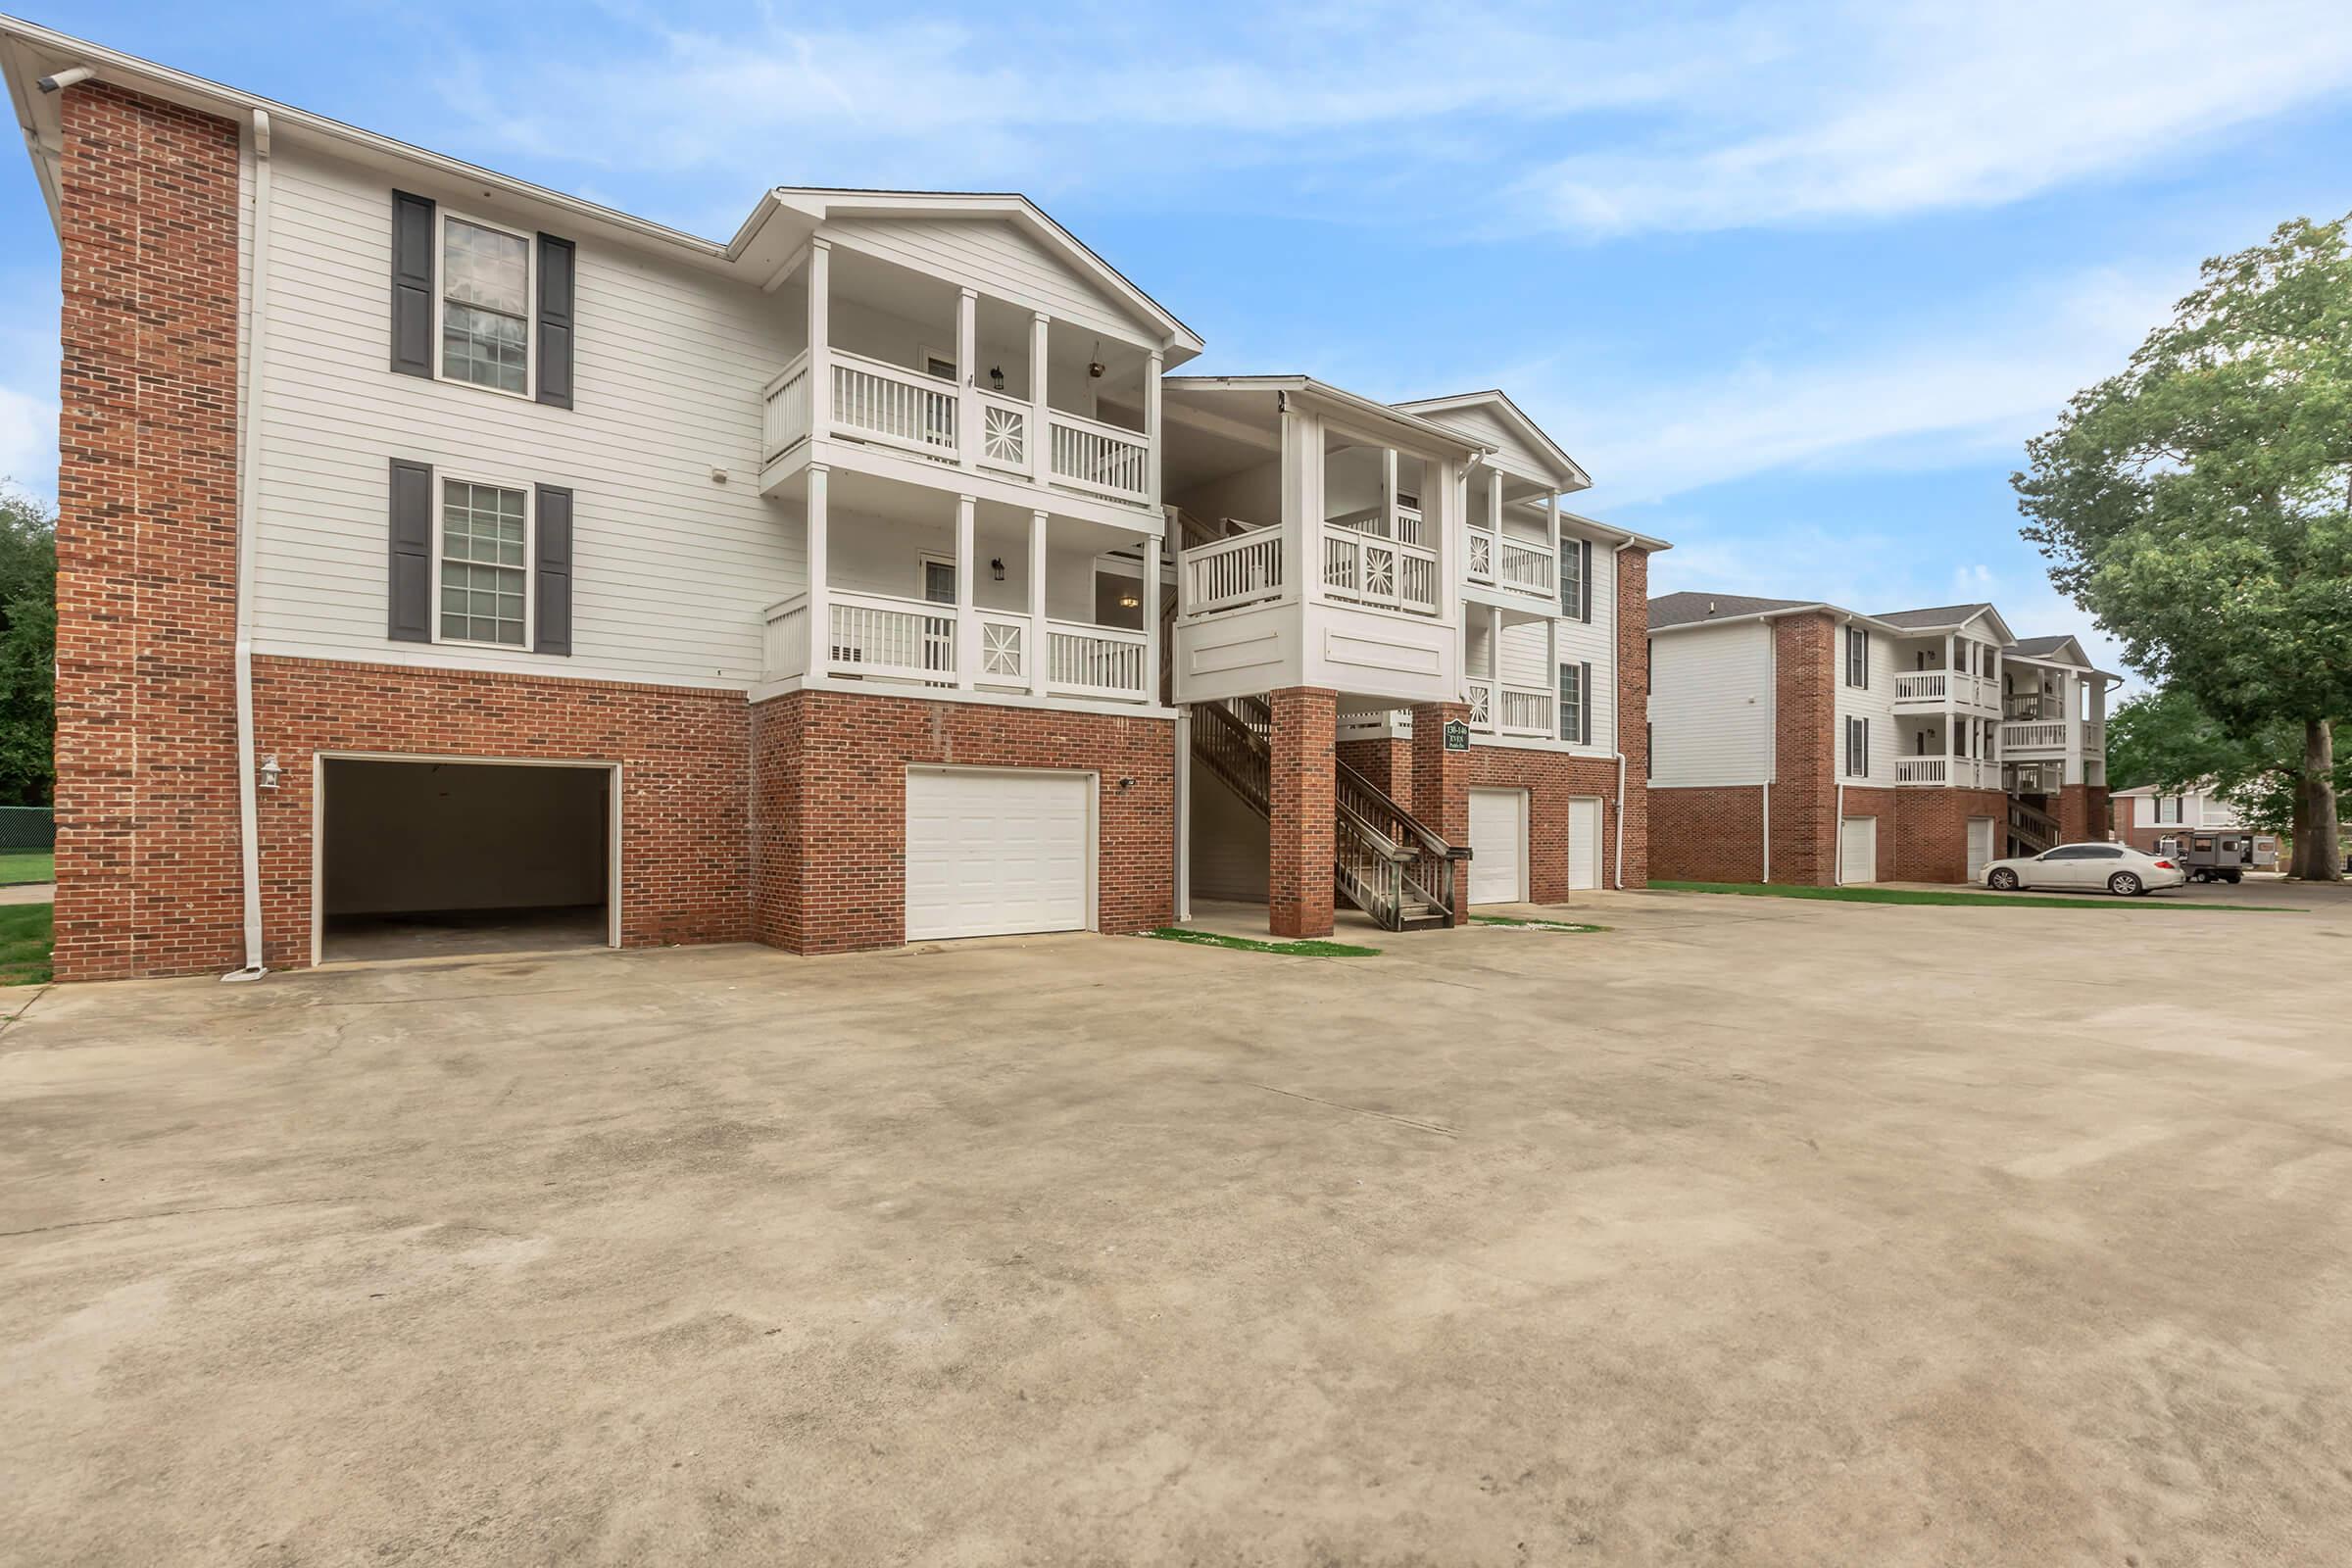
{"x":829,"y":808}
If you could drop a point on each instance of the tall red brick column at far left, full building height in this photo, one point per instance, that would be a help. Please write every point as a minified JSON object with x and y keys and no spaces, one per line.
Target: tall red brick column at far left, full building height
{"x":147,"y":540}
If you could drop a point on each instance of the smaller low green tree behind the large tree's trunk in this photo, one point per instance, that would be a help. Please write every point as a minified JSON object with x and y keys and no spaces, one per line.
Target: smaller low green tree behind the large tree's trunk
{"x":2165,"y":739}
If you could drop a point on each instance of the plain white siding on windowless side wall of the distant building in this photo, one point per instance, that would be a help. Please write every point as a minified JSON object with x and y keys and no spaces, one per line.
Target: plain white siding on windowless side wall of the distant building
{"x":1711,"y":706}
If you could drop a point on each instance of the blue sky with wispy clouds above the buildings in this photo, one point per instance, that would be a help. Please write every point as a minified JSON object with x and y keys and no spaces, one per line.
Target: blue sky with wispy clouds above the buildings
{"x":1793,"y":281}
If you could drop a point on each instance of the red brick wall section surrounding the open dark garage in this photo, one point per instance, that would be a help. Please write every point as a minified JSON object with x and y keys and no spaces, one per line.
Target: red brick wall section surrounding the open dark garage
{"x":683,"y":777}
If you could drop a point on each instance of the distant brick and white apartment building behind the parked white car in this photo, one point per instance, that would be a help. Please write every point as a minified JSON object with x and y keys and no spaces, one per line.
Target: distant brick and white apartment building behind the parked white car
{"x":1798,"y":742}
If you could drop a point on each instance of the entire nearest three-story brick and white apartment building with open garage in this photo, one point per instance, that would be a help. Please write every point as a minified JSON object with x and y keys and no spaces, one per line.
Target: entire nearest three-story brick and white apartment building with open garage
{"x":439,"y":542}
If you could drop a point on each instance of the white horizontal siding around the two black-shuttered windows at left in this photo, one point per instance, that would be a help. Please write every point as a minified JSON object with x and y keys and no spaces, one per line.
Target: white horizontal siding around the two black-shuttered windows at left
{"x":671,"y":570}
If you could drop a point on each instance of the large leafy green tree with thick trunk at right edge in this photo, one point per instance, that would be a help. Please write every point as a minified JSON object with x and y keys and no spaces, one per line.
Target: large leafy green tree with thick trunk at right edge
{"x":2200,"y":504}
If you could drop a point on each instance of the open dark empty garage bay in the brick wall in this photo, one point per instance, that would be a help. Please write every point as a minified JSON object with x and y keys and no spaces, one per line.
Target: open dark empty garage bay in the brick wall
{"x":422,"y":859}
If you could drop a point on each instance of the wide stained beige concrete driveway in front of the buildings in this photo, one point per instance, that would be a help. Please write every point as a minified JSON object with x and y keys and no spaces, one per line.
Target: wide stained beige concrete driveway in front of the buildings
{"x":1744,"y":1233}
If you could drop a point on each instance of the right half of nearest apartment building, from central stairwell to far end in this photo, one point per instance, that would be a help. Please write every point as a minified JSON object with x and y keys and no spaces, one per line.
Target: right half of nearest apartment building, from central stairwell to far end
{"x":1415,"y":572}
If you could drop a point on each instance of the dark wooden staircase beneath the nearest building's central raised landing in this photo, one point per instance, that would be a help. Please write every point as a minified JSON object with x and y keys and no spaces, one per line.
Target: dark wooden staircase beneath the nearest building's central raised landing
{"x":1384,"y":862}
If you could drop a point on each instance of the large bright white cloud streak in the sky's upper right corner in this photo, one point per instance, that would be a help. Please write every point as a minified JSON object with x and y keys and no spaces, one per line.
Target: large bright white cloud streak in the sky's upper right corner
{"x":1927,"y":107}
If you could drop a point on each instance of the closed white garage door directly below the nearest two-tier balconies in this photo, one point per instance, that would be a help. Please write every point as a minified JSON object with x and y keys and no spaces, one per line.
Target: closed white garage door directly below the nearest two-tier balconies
{"x":989,"y":855}
